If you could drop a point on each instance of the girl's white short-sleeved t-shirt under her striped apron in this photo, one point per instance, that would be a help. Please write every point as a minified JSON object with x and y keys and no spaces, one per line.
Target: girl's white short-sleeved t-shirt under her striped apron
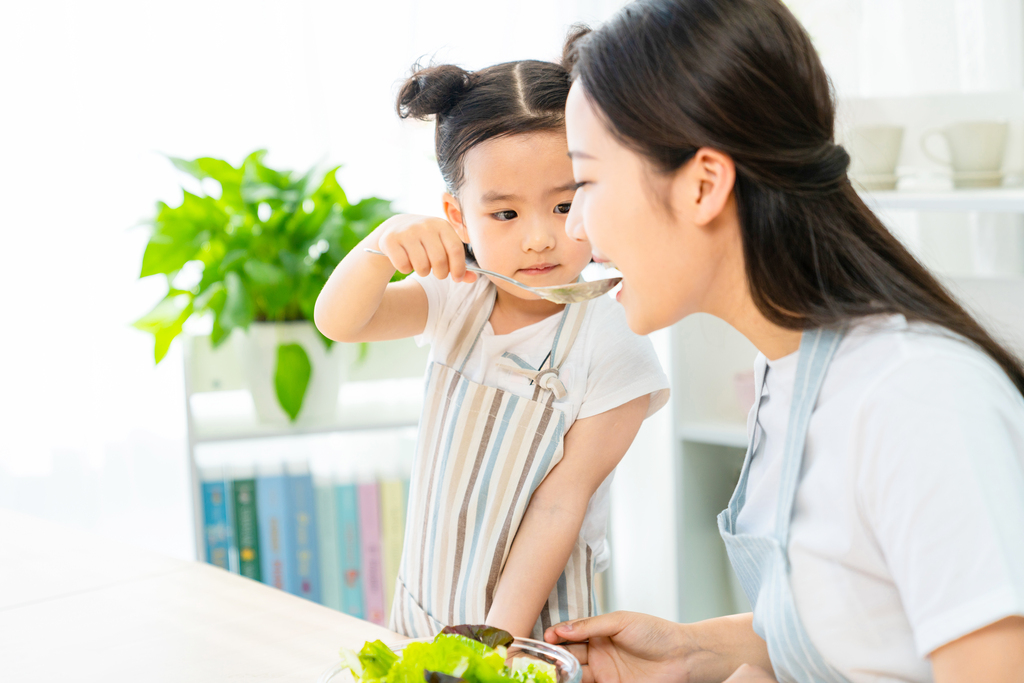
{"x":609,"y":366}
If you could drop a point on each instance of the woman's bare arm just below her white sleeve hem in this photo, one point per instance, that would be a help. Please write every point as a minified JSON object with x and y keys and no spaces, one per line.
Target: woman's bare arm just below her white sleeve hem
{"x":994,"y":655}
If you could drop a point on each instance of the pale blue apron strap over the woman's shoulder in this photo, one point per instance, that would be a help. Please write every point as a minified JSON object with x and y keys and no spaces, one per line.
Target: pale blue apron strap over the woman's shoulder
{"x":817,"y":351}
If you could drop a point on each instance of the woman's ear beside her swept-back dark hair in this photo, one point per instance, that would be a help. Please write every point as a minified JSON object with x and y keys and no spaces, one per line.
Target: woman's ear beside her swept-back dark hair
{"x":703,"y":187}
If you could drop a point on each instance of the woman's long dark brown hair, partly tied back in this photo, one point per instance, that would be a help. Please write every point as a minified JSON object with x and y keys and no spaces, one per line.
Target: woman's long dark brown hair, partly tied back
{"x":742,"y":77}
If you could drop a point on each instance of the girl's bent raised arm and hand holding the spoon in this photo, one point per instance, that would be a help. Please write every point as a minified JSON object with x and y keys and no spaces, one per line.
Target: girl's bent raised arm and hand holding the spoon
{"x":360,"y":304}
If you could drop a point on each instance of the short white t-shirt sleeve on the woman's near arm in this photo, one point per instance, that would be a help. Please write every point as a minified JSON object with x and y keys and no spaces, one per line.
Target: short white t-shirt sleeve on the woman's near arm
{"x":941,"y":487}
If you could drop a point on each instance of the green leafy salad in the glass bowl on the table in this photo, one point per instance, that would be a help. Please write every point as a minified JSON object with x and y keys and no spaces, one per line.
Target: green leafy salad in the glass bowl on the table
{"x":460,"y":654}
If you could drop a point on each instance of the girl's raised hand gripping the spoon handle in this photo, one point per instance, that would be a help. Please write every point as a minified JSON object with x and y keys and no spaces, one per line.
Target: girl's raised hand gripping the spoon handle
{"x":426,"y":245}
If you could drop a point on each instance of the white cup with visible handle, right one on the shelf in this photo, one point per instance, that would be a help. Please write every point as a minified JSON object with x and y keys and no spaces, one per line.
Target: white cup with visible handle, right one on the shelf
{"x":976,"y":152}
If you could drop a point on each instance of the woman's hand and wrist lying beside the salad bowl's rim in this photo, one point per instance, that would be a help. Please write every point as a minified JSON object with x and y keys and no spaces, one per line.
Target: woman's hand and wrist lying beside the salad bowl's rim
{"x":626,"y":648}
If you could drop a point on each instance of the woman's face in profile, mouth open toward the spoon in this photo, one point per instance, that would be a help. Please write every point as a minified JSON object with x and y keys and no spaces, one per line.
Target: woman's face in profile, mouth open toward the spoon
{"x":648,"y":224}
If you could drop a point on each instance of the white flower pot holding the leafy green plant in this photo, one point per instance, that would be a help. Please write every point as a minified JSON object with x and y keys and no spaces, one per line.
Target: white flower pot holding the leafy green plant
{"x":259,"y":354}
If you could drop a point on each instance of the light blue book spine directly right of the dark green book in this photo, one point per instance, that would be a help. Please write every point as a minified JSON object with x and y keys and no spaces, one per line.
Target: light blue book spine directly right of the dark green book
{"x":277,"y":551}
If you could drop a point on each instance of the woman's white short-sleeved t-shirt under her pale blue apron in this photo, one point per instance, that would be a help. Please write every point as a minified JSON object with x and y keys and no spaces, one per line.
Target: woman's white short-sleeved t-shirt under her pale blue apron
{"x":909,"y":525}
